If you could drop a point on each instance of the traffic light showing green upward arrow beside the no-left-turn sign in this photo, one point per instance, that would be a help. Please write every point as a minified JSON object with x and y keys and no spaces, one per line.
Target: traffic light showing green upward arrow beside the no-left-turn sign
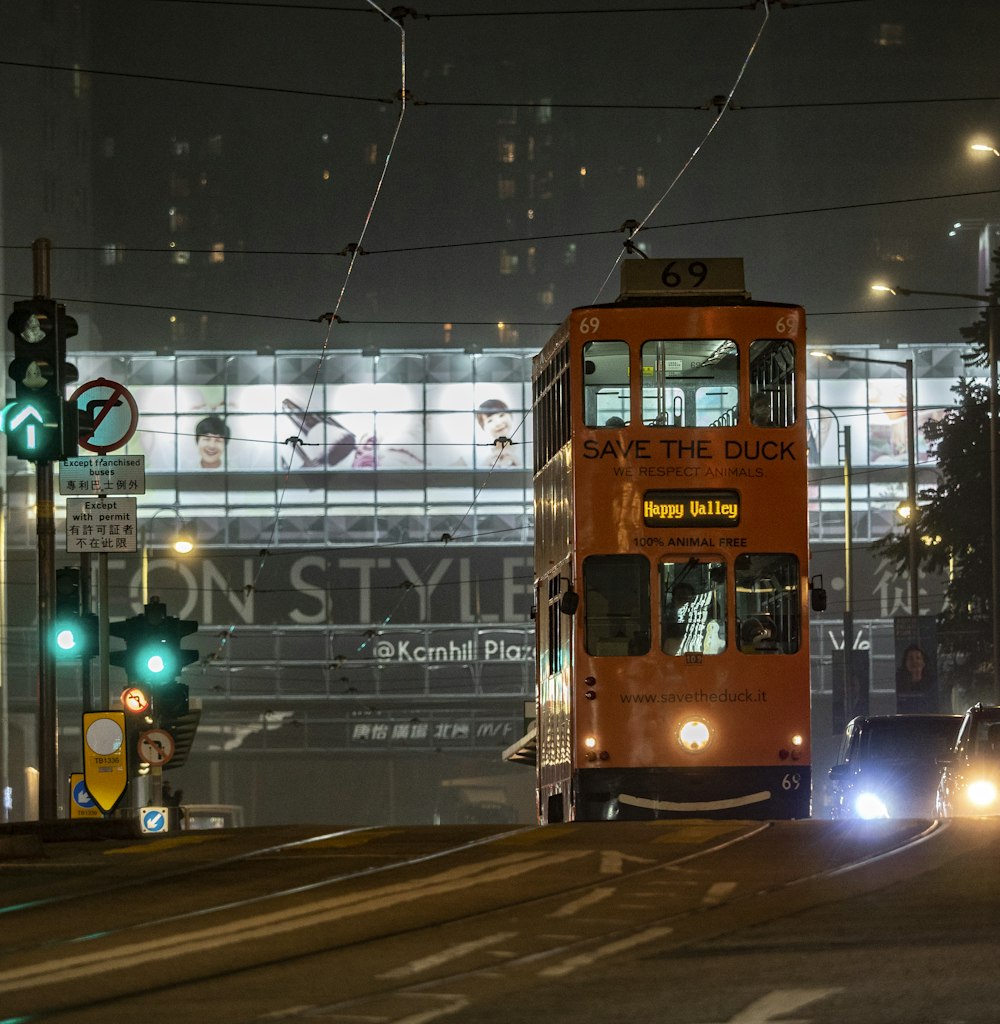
{"x":40,"y":424}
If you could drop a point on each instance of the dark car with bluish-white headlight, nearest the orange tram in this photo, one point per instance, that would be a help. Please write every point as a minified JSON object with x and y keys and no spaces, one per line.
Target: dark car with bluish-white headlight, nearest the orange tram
{"x":889,"y":766}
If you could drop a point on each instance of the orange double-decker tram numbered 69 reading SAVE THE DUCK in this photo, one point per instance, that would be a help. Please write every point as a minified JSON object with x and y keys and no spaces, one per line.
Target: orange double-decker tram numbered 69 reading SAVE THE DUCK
{"x":672,"y":553}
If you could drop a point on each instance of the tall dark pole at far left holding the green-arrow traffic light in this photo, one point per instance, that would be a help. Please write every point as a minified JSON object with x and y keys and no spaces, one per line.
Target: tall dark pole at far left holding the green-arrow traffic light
{"x":49,"y":731}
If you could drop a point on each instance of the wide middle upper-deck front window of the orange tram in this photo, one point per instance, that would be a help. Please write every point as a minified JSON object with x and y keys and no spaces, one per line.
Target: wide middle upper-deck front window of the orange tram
{"x":690,"y":383}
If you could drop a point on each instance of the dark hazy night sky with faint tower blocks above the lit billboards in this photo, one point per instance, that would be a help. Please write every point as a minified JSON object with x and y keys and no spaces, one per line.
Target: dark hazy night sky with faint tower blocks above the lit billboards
{"x":846,"y":160}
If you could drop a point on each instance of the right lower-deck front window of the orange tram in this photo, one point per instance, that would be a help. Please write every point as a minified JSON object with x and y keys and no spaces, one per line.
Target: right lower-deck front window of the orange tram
{"x":768,"y":605}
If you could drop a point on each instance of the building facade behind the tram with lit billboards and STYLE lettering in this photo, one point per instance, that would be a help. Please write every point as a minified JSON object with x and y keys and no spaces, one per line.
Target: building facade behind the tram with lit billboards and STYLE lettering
{"x":364,"y":572}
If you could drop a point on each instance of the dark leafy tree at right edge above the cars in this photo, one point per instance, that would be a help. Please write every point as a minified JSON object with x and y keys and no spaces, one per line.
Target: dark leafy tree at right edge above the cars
{"x":955,"y":522}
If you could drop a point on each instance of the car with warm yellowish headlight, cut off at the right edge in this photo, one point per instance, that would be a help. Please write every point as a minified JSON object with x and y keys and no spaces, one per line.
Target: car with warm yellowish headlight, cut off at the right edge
{"x":971,"y":776}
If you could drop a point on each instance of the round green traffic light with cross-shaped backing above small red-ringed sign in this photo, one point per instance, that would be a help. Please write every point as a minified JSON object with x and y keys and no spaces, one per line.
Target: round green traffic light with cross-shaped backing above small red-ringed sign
{"x":154,"y":656}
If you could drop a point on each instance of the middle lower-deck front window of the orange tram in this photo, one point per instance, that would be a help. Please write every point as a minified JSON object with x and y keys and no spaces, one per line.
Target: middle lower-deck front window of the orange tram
{"x":692,"y":608}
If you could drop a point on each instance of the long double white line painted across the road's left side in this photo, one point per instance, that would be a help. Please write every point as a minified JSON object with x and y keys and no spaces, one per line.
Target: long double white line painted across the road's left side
{"x":266,"y":926}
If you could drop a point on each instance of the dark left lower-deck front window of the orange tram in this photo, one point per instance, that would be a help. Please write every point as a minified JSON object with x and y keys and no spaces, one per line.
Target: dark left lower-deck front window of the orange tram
{"x":617,"y":605}
